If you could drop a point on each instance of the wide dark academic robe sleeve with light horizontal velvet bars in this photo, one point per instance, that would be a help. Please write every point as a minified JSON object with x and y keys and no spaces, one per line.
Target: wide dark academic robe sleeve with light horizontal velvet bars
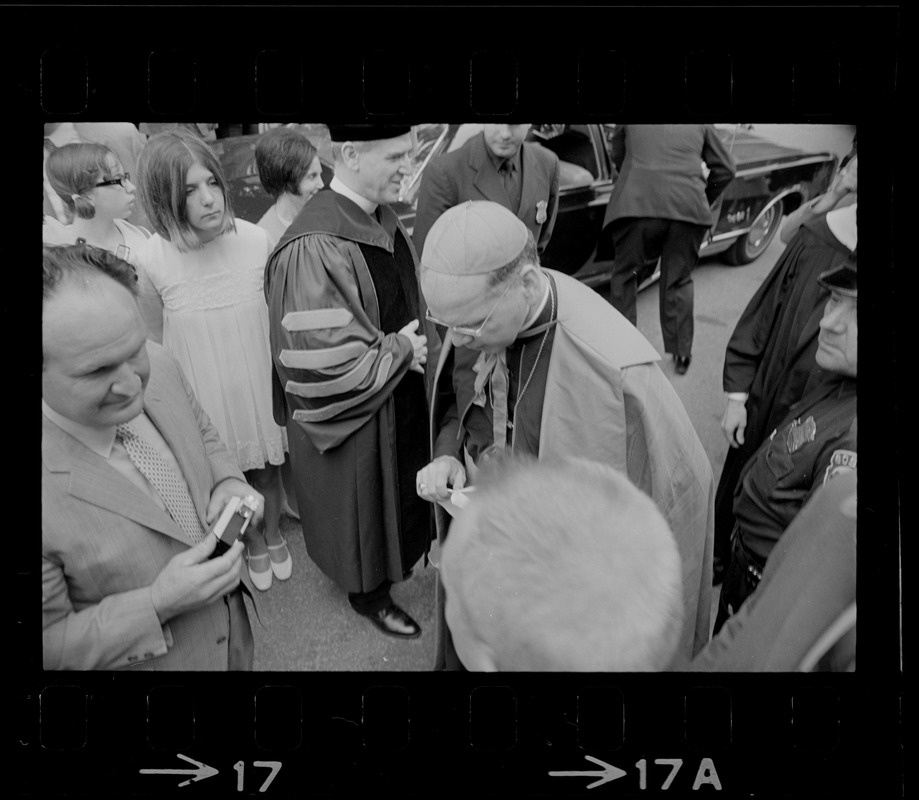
{"x":334,"y":365}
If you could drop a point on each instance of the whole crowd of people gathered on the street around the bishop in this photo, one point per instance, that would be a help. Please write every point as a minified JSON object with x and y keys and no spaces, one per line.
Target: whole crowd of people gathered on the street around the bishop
{"x":325,"y":364}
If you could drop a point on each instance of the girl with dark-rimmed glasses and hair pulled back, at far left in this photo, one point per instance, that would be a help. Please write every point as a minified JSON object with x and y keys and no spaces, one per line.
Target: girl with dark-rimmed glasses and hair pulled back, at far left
{"x":98,"y":195}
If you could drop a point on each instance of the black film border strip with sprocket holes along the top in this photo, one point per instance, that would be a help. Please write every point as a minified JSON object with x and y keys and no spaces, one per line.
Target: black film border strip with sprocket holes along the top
{"x":579,"y":62}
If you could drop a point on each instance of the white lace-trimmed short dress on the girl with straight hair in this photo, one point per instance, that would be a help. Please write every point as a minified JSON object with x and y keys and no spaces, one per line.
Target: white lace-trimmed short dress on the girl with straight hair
{"x":216,"y":326}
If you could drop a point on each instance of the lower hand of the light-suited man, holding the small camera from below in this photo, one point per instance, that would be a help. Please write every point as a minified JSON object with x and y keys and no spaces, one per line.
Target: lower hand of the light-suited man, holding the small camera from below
{"x":190,"y":581}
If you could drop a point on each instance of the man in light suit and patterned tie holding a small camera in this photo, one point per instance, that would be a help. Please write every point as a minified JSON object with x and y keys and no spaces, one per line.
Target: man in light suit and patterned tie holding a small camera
{"x":127,"y":578}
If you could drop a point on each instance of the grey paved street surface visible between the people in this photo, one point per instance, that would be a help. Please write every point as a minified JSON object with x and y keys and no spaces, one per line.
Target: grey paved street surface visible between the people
{"x":308,"y":624}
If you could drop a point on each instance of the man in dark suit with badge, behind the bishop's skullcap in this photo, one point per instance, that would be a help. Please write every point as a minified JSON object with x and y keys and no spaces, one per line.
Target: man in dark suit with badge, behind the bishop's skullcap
{"x":498,"y":165}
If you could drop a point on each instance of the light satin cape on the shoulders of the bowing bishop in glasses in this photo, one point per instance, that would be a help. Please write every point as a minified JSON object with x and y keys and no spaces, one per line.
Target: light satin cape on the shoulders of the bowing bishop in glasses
{"x":607,"y":400}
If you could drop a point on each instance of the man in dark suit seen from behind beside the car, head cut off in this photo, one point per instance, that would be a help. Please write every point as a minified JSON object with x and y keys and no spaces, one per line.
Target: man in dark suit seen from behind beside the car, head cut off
{"x":661,"y":208}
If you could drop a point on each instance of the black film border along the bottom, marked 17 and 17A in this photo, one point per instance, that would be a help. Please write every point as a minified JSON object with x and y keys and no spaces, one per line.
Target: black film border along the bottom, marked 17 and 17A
{"x":498,"y":735}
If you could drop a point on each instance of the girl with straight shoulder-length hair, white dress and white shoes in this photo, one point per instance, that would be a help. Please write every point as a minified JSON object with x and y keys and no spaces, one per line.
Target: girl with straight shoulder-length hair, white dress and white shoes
{"x":208,"y":267}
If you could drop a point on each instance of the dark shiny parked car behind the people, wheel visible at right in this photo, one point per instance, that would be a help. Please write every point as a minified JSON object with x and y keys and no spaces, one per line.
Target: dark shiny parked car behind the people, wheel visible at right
{"x":771,"y":180}
